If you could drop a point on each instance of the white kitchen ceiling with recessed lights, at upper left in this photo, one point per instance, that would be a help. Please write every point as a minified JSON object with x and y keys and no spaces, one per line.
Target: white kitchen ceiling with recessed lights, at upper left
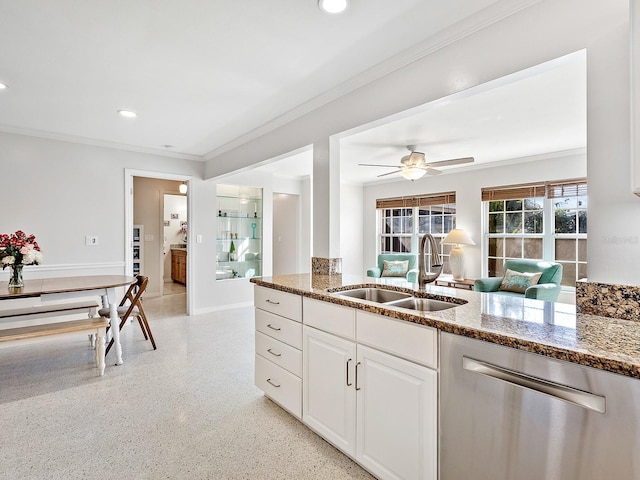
{"x":200,"y":74}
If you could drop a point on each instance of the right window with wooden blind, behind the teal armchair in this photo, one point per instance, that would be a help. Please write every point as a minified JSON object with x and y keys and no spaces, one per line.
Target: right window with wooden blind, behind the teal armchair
{"x":545,"y":221}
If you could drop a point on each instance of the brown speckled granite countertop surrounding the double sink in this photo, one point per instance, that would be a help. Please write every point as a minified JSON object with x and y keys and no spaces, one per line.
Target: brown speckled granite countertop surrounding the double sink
{"x":551,"y":329}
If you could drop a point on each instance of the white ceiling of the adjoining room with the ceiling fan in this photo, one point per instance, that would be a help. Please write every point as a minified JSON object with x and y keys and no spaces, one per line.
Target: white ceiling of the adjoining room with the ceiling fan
{"x":520,"y":117}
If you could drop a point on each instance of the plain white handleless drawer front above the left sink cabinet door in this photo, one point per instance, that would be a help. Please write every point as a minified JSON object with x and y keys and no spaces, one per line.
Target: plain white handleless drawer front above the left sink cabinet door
{"x":332,"y":318}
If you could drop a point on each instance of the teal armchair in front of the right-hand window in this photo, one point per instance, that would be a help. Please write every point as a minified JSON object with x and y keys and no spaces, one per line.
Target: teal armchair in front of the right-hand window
{"x":547,"y":288}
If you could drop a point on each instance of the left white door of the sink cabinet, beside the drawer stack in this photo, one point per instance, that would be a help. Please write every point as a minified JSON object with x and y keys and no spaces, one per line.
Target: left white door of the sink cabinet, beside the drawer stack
{"x":328,"y":399}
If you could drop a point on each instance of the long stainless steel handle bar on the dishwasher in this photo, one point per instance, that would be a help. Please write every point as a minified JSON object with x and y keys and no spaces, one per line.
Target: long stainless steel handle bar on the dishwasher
{"x":583,"y":399}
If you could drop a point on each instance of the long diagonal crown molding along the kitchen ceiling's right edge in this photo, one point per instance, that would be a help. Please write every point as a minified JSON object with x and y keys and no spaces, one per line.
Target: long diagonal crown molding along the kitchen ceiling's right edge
{"x":470,"y":25}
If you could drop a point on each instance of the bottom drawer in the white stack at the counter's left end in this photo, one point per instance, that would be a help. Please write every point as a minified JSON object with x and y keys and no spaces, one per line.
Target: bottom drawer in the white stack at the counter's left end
{"x":281,"y":386}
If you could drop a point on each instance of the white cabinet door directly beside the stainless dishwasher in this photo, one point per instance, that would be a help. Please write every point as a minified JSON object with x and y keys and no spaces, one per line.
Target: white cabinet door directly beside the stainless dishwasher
{"x":397,"y":417}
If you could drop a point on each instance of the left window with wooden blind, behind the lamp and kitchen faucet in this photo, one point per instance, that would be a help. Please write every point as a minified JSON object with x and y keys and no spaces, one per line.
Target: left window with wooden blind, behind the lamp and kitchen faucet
{"x":404,"y":220}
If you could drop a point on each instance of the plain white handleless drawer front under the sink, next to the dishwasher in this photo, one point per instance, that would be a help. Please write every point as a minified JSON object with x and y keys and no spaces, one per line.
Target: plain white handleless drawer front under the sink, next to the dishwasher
{"x":403,"y":339}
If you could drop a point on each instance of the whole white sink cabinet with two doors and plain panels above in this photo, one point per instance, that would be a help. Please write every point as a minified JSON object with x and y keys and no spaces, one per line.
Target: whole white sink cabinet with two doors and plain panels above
{"x":375,"y":406}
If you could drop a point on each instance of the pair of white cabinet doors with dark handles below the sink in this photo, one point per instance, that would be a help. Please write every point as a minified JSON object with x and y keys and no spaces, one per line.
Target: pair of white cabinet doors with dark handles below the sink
{"x":377,"y":408}
